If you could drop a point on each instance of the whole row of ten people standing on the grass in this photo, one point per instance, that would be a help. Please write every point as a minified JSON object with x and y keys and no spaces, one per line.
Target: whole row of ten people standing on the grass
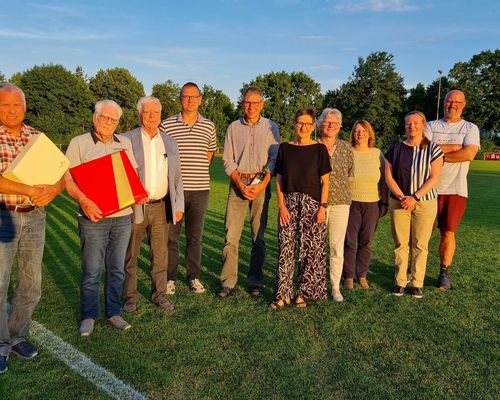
{"x":325,"y":187}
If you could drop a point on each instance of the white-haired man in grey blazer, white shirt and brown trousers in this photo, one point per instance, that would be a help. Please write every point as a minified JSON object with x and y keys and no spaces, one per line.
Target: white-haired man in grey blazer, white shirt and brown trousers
{"x":159,"y":169}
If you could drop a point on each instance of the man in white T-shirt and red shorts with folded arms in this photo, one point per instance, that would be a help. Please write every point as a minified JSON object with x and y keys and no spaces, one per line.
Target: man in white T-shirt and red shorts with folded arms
{"x":459,"y":140}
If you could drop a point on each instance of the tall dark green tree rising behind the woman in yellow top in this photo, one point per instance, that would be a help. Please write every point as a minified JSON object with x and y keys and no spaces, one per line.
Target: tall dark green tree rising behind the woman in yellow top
{"x":374,"y":92}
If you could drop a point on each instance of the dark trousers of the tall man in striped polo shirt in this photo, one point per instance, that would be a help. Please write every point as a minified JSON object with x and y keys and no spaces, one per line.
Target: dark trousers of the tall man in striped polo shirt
{"x":195,"y":208}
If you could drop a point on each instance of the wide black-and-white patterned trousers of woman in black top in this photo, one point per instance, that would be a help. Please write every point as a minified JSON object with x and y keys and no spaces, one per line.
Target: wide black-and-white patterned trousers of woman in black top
{"x":311,"y":240}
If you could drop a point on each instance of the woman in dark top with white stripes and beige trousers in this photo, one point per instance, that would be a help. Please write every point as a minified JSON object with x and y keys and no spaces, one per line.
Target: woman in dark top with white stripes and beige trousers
{"x":412,"y":171}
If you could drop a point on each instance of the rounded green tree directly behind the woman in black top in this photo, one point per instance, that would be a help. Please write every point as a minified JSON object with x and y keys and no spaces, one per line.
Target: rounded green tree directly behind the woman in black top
{"x":285,"y":93}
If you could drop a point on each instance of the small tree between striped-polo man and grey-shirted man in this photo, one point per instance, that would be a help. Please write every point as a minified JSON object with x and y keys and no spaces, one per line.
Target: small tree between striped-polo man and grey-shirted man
{"x":218,"y":108}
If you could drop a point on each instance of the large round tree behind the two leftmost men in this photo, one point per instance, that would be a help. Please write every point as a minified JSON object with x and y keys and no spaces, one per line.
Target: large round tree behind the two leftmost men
{"x":58,"y":103}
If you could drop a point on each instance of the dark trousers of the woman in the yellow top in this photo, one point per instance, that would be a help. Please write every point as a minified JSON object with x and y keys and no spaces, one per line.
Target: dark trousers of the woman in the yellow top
{"x":363,"y":219}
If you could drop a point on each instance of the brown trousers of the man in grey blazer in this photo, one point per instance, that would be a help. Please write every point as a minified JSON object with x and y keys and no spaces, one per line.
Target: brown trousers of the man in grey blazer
{"x":156,"y":228}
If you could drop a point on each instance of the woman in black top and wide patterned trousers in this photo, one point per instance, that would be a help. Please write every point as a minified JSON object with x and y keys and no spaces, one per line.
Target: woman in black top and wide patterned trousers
{"x":302,"y":169}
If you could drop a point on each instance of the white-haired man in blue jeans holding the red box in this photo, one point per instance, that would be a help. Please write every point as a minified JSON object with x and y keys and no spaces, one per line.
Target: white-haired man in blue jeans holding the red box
{"x":103,"y":241}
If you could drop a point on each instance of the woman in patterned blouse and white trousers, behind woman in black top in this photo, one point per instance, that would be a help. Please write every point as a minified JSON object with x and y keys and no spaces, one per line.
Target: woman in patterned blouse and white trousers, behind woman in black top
{"x":339,"y":198}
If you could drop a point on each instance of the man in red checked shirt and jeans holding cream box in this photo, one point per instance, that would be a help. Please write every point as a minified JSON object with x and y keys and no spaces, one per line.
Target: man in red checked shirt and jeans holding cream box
{"x":22,"y":233}
